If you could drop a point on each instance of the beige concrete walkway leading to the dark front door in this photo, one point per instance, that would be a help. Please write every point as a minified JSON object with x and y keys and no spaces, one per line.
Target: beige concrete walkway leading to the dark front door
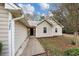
{"x":33,"y":48}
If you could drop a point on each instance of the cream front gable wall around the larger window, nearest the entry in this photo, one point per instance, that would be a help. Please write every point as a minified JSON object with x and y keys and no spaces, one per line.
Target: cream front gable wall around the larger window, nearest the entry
{"x":39,"y":30}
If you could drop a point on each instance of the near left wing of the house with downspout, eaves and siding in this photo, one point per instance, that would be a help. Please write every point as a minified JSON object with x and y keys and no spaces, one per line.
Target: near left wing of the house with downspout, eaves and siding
{"x":13,"y":29}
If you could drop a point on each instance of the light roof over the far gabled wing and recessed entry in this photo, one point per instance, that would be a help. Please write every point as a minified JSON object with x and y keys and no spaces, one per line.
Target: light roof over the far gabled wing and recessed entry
{"x":50,"y":20}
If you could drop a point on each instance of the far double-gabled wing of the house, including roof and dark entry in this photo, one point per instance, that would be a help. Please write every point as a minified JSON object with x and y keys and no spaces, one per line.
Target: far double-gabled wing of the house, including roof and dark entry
{"x":48,"y":27}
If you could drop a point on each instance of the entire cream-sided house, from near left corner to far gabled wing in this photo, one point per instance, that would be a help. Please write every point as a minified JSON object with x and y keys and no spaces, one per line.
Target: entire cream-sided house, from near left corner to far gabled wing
{"x":15,"y":29}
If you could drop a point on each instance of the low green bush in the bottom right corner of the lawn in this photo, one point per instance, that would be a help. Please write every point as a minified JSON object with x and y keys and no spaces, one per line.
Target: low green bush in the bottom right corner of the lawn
{"x":72,"y":52}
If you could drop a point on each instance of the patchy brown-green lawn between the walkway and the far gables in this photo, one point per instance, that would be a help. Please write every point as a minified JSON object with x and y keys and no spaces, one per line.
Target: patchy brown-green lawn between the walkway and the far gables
{"x":56,"y":45}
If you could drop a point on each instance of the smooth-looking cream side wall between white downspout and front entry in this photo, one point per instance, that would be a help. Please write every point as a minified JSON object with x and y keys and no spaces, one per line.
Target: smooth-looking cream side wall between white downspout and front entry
{"x":20,"y":35}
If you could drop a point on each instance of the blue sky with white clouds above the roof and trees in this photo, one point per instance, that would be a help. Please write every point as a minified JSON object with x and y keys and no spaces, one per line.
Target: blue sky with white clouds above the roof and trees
{"x":37,"y":8}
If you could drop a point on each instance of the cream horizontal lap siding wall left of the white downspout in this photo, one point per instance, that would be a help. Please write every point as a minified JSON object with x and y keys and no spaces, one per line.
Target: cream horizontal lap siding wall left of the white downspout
{"x":4,"y":31}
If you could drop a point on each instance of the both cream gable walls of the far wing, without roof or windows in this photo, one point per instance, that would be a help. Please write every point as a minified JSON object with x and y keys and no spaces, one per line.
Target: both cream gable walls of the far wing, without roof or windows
{"x":50,"y":29}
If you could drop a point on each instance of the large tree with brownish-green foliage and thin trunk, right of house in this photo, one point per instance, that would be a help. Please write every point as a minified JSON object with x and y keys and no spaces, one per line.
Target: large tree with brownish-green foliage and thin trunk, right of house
{"x":68,"y":15}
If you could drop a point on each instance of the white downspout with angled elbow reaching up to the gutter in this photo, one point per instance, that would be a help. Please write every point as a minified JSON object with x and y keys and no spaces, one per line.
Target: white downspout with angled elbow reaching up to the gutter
{"x":13,"y":33}
